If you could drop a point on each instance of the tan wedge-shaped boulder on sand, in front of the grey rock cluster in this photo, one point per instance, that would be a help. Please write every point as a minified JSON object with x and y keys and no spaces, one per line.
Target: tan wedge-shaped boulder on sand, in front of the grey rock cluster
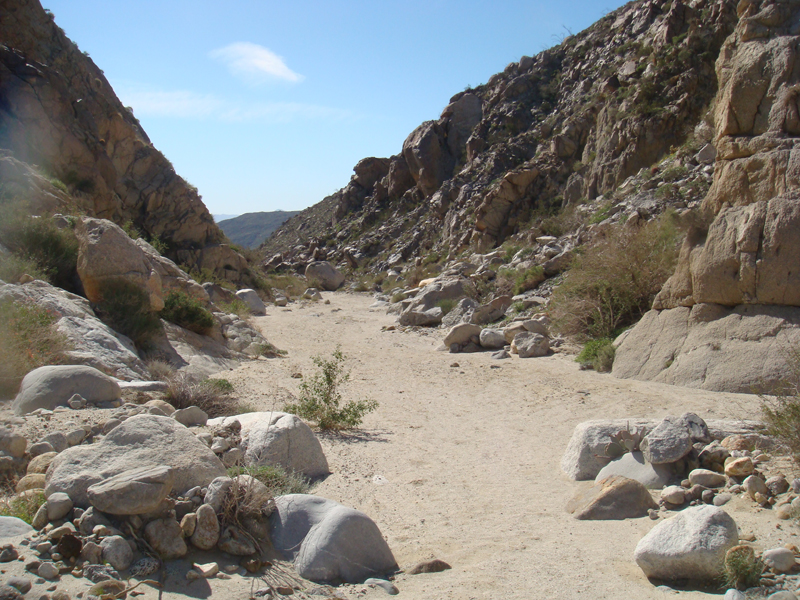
{"x":612,"y":498}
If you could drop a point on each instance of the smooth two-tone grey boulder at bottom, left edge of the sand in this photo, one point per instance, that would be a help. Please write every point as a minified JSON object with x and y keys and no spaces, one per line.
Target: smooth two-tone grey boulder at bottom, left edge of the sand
{"x":327,"y":541}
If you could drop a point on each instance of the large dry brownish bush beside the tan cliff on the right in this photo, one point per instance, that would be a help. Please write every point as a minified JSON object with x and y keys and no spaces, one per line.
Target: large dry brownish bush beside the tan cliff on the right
{"x":612,"y":283}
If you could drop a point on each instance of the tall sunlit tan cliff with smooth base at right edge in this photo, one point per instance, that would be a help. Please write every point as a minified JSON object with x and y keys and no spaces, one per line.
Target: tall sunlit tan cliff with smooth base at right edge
{"x":731,"y":308}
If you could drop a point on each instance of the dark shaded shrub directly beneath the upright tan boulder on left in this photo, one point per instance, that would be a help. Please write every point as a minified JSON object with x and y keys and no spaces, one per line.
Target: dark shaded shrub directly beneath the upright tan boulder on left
{"x":125,"y":307}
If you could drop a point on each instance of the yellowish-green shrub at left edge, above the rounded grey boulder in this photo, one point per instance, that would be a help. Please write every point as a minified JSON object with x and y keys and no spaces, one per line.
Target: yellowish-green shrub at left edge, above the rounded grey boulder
{"x":28,"y":339}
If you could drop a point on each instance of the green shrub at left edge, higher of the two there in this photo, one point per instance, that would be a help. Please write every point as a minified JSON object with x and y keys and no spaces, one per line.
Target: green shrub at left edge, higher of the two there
{"x":37,"y":240}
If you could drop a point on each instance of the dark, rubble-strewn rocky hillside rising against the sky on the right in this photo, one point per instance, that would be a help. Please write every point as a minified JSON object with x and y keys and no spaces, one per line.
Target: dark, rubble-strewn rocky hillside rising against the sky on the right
{"x":551,"y":131}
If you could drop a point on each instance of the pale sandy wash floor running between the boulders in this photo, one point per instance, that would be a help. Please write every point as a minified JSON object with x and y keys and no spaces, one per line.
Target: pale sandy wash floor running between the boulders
{"x":461,"y":462}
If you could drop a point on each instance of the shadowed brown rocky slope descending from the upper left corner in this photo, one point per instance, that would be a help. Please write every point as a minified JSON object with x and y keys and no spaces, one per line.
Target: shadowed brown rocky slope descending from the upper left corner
{"x":58,"y":112}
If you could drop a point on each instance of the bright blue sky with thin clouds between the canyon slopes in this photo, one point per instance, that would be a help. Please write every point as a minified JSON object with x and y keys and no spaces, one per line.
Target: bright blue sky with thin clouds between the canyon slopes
{"x":268,"y":105}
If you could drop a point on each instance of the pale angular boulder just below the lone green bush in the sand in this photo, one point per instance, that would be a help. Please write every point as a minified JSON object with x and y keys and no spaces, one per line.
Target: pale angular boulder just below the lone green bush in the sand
{"x":279,"y":439}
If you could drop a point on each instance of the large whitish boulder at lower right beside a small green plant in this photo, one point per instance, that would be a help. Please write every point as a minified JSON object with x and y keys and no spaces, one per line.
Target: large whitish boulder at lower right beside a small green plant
{"x":691,"y":545}
